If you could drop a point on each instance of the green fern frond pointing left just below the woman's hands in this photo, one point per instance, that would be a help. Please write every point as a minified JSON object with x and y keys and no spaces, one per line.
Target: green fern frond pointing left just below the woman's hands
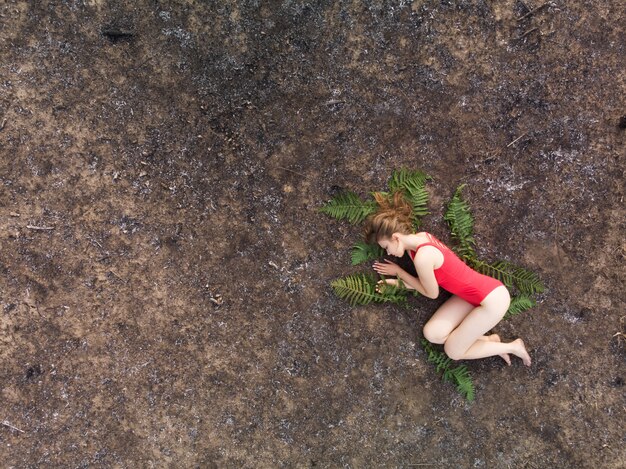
{"x":361,"y":289}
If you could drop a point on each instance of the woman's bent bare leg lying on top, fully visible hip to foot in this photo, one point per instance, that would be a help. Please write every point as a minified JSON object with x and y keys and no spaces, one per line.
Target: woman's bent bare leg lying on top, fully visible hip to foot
{"x":467,"y":340}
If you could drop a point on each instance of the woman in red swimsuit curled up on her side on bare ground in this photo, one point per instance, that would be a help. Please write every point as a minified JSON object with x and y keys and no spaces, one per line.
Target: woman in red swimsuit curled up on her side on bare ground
{"x":478,"y":302}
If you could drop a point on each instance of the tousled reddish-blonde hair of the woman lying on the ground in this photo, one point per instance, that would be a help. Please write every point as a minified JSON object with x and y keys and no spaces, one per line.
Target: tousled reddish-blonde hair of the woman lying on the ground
{"x":393,"y":216}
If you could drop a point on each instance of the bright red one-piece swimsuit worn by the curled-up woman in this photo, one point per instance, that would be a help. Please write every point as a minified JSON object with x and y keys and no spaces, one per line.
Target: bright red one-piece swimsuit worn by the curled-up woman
{"x":457,"y":277}
